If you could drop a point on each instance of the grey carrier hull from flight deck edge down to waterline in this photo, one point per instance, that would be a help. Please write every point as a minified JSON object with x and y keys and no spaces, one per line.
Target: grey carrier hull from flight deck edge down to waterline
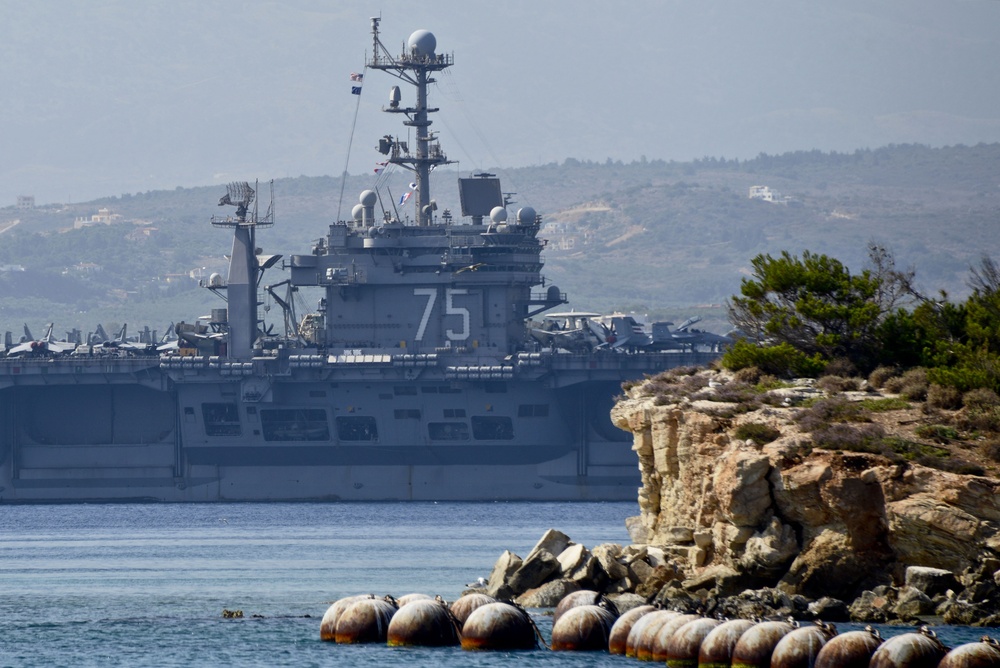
{"x":103,"y":429}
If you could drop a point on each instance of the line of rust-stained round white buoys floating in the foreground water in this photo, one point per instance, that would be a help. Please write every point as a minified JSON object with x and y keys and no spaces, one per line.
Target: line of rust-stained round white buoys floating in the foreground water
{"x":586,"y":621}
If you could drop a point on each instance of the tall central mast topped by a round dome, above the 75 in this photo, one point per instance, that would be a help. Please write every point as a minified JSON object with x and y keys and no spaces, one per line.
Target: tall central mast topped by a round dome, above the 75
{"x":415,"y":66}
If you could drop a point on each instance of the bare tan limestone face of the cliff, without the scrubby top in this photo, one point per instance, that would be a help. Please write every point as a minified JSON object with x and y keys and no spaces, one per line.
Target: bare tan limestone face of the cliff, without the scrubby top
{"x":816,"y":522}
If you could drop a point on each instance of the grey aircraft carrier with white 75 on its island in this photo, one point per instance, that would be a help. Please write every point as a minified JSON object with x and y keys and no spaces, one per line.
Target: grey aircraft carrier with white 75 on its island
{"x":427,"y":372}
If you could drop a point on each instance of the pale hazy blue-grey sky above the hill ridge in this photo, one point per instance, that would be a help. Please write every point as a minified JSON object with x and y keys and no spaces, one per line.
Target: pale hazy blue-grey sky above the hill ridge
{"x":111,"y":96}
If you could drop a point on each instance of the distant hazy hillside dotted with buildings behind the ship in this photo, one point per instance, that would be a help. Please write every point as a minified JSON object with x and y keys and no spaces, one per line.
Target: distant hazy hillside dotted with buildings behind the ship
{"x":665,"y":238}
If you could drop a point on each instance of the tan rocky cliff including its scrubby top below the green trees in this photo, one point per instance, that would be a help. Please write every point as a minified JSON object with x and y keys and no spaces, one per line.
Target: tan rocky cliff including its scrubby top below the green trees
{"x":815,"y":491}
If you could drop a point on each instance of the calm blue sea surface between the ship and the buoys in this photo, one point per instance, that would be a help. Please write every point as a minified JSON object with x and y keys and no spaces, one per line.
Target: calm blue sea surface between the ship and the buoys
{"x":145,"y":585}
